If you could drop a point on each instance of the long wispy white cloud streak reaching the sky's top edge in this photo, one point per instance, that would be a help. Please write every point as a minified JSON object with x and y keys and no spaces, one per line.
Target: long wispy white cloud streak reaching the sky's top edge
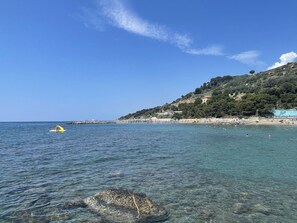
{"x":117,"y":14}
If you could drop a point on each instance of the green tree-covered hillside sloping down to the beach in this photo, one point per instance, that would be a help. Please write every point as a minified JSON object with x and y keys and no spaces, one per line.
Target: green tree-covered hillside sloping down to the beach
{"x":227,"y":96}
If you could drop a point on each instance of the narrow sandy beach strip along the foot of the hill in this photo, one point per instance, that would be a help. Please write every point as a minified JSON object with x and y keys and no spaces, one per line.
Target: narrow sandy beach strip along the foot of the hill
{"x":217,"y":121}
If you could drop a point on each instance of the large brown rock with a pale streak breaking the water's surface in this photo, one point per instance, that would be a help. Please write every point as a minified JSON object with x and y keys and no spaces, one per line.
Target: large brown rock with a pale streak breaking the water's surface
{"x":125,"y":206}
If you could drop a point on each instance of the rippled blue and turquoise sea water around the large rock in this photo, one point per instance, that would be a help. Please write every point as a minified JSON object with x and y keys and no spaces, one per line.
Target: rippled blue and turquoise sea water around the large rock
{"x":199,"y":173}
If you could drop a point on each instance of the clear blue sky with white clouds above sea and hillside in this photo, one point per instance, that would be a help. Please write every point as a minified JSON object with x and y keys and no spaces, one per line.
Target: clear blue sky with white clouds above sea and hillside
{"x":102,"y":59}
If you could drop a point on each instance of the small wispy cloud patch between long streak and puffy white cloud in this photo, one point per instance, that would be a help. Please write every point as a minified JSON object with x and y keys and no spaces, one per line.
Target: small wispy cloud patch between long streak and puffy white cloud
{"x":248,"y":57}
